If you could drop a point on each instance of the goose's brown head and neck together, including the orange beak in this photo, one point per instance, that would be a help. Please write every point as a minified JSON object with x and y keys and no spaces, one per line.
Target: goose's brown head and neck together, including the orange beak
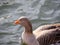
{"x":23,"y":21}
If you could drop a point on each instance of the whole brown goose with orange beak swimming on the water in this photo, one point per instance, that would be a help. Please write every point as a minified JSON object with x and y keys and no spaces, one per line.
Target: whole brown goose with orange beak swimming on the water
{"x":43,"y":35}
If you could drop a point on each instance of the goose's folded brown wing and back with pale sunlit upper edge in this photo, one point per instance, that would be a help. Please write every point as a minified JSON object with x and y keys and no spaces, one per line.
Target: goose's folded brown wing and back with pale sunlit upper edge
{"x":48,"y":34}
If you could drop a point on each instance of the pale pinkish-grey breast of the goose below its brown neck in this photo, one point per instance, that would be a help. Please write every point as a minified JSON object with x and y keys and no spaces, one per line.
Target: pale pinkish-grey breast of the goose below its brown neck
{"x":29,"y":39}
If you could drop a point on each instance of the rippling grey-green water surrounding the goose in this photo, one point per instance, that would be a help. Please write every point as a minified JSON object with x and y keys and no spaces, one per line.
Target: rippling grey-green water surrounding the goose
{"x":38,"y":11}
